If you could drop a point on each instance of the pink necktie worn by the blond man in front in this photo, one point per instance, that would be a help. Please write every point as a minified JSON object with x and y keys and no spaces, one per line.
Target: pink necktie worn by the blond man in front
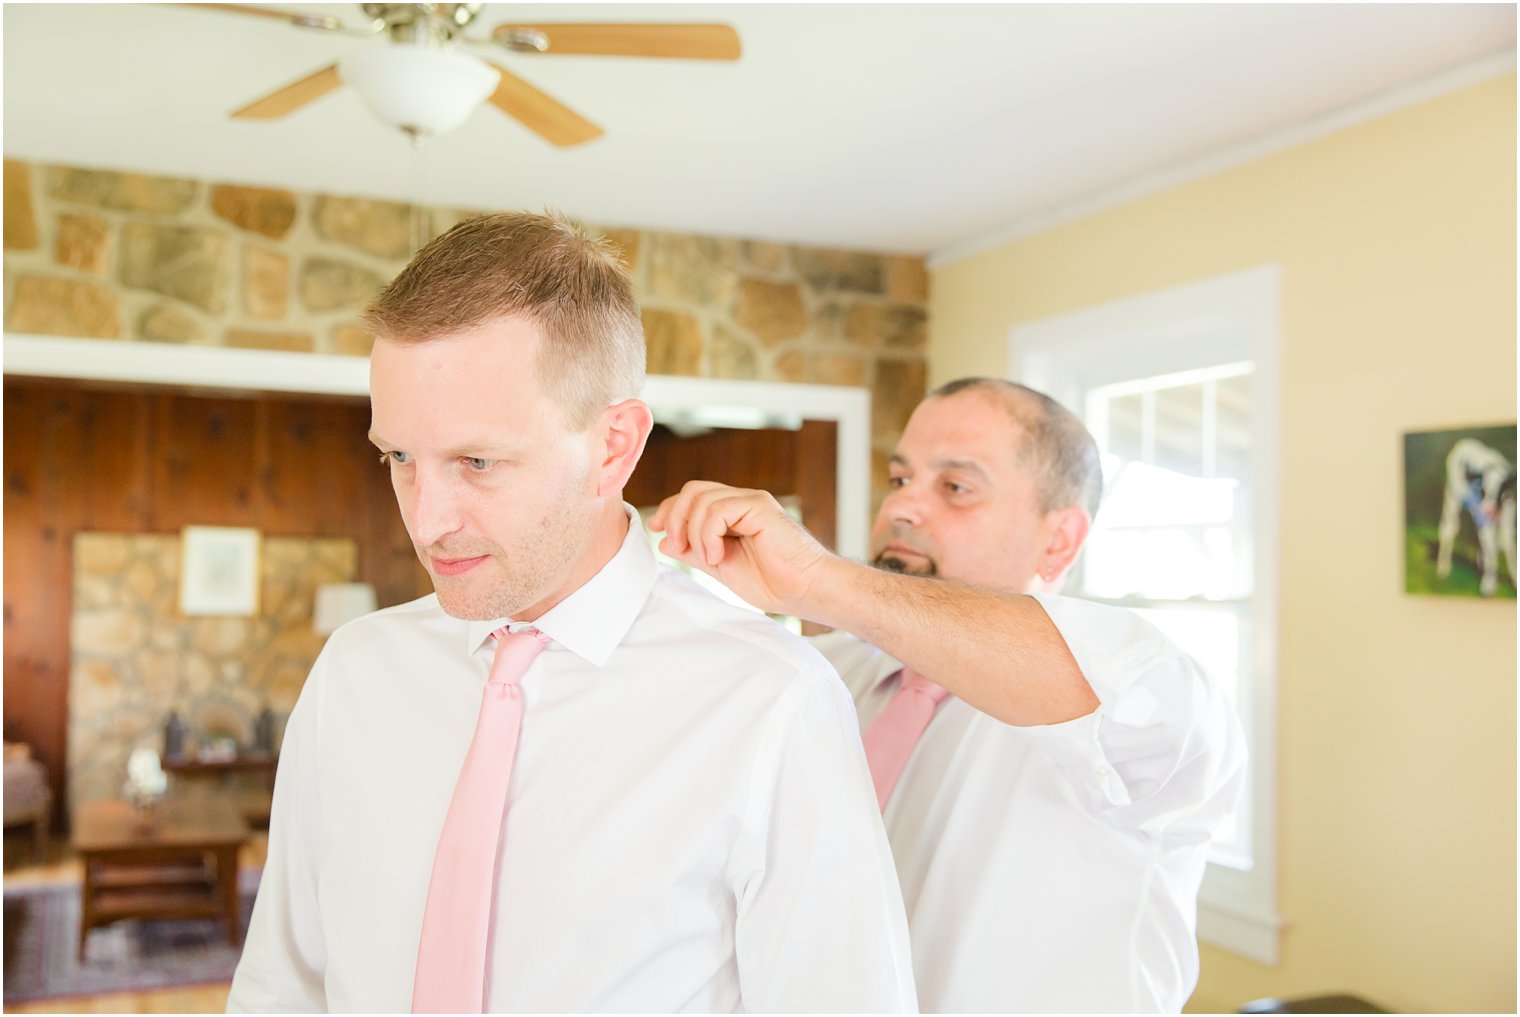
{"x":457,"y":925}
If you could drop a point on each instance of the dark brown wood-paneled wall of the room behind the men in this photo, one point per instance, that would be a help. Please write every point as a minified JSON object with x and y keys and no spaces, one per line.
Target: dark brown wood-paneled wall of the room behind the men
{"x":127,"y":460}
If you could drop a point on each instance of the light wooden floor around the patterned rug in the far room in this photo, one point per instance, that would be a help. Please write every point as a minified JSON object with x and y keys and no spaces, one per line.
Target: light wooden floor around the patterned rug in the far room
{"x":62,"y":866}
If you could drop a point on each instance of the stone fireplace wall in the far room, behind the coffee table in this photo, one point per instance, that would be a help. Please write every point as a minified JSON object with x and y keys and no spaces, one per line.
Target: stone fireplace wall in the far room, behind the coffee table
{"x":136,"y":657}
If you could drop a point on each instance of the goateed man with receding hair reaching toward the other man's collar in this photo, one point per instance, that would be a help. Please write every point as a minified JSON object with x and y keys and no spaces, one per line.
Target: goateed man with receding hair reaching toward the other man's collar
{"x":1051,"y":771}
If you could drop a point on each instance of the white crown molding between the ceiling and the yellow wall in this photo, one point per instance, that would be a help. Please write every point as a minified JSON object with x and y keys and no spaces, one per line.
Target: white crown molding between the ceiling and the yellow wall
{"x":1176,"y":176}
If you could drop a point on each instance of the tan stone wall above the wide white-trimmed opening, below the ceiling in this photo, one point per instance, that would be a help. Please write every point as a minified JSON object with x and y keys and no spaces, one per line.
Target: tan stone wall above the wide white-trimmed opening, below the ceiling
{"x":124,"y":256}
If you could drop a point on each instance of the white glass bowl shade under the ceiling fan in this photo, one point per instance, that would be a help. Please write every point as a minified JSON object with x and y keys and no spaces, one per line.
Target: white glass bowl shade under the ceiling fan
{"x":417,"y":89}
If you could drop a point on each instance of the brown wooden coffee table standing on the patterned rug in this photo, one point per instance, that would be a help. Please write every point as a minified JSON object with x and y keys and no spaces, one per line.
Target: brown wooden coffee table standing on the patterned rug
{"x":180,"y":864}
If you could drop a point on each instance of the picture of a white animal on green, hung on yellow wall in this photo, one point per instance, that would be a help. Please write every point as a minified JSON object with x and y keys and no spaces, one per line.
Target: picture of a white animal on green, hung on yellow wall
{"x":1460,"y":513}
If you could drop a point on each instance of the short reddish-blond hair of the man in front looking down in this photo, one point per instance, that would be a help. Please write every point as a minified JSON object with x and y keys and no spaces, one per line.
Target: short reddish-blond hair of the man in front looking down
{"x":543,"y":267}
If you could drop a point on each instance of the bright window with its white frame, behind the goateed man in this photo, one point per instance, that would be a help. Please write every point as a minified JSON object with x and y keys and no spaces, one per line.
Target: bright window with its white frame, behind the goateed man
{"x":1180,"y":393}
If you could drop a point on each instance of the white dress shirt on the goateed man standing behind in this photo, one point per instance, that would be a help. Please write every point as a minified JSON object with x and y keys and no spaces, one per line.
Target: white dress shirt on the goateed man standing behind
{"x":1056,"y":869}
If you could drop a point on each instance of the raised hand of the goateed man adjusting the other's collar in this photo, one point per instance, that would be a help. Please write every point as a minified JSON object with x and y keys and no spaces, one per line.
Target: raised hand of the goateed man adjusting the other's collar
{"x":747,"y":542}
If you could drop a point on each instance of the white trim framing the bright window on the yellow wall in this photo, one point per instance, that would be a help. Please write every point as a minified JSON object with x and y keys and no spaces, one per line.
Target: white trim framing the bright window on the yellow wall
{"x":1214,"y":322}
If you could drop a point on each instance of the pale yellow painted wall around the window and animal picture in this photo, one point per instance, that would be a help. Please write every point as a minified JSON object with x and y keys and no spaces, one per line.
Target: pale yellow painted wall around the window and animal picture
{"x":1398,"y":715}
